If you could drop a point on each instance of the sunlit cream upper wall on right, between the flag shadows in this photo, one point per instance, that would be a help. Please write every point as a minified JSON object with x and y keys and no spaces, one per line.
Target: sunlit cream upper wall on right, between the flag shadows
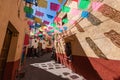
{"x":96,"y":33}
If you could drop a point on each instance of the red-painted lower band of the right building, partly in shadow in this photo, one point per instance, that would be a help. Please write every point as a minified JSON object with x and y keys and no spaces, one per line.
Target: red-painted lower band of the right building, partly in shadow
{"x":92,"y":68}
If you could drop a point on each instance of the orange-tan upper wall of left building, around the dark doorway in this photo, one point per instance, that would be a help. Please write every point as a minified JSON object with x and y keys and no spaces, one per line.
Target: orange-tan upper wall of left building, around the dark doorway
{"x":9,"y":13}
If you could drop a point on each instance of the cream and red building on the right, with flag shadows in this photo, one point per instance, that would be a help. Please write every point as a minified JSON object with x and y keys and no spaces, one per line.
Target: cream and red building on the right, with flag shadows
{"x":91,"y":46}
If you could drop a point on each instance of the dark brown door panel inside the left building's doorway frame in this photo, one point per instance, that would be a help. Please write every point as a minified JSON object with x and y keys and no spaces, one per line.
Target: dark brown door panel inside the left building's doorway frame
{"x":4,"y":52}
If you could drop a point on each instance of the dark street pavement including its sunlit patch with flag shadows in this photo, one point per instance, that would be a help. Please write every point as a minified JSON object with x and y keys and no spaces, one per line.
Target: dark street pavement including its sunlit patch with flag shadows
{"x":44,"y":68}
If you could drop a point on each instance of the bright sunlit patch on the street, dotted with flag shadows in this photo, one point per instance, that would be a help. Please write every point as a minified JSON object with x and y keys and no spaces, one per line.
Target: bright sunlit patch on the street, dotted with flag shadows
{"x":58,"y":69}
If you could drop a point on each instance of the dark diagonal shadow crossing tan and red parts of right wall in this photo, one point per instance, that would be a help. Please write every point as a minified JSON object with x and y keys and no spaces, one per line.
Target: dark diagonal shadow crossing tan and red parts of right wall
{"x":82,"y":65}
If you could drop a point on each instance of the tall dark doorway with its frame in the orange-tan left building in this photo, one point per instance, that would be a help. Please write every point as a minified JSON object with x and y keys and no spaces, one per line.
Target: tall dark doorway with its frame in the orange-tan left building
{"x":10,"y":33}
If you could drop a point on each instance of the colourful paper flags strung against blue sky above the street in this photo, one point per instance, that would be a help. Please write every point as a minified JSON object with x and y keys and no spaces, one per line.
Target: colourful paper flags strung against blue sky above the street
{"x":45,"y":19}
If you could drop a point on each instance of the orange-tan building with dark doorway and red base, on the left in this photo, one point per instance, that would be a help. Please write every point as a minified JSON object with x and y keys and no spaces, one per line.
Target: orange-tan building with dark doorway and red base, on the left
{"x":13,"y":28}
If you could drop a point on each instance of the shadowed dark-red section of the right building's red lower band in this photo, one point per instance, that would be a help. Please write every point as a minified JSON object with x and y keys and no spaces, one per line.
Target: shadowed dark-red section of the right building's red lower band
{"x":82,"y":66}
